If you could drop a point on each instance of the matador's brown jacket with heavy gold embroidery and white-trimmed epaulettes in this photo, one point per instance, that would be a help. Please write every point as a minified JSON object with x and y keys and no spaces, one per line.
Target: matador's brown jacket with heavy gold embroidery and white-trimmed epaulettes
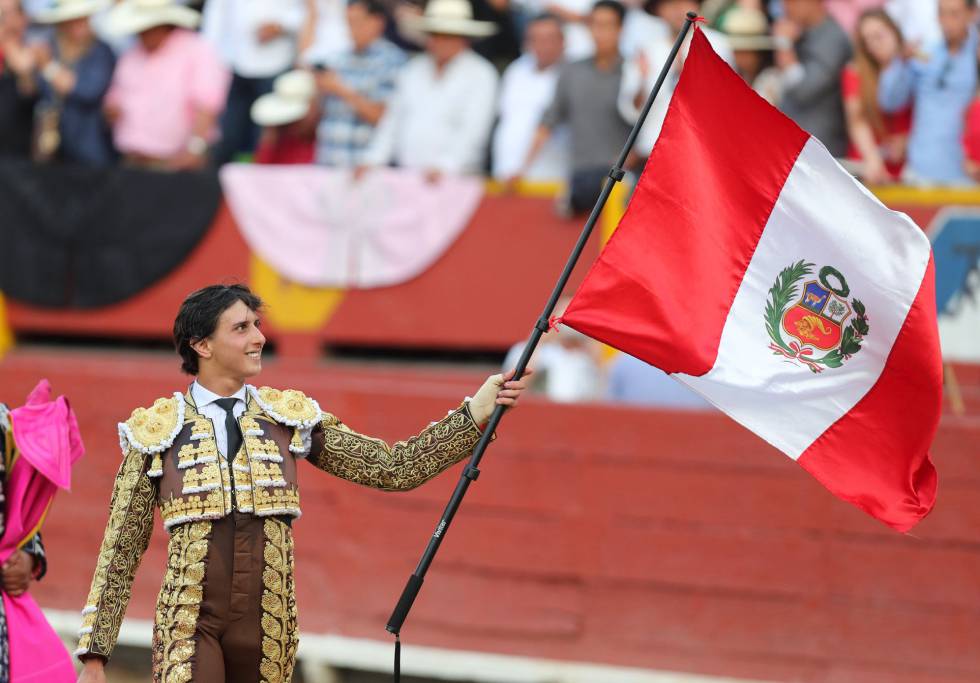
{"x":171,"y":460}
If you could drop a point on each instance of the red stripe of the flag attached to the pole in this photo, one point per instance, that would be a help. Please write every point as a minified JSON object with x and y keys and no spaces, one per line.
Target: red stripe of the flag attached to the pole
{"x":657,"y":283}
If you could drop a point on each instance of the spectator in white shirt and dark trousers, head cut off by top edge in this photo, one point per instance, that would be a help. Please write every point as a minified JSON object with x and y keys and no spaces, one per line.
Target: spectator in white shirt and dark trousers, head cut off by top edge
{"x":257,"y":39}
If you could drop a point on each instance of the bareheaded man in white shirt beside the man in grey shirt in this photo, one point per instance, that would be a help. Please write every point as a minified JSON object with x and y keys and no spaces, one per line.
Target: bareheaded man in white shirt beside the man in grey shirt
{"x":526,"y":90}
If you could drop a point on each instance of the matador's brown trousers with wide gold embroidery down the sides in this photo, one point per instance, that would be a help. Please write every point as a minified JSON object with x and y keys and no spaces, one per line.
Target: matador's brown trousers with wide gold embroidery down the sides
{"x":227,"y":608}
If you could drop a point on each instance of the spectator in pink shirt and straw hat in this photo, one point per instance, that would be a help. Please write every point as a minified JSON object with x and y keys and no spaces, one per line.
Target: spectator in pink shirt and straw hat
{"x":168,"y":89}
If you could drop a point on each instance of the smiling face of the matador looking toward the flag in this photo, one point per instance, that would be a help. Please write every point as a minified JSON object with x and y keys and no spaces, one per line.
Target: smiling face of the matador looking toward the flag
{"x":234,"y":349}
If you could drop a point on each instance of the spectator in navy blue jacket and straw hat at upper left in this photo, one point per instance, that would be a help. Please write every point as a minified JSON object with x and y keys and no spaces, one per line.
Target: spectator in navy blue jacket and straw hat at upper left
{"x":75,"y":70}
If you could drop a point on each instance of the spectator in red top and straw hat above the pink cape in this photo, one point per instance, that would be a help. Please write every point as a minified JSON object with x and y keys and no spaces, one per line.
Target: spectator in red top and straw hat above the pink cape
{"x":287,"y":117}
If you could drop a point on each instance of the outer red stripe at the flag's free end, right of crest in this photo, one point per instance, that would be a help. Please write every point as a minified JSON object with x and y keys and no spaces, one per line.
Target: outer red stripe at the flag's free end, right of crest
{"x":877,"y":455}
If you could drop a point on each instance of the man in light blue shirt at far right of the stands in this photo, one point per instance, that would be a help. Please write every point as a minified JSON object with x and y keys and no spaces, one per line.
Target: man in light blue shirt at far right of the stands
{"x":940,"y":87}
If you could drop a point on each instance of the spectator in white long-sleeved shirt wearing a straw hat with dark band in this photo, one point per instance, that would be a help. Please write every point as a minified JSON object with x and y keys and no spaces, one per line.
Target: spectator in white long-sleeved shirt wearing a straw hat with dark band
{"x":440,"y":117}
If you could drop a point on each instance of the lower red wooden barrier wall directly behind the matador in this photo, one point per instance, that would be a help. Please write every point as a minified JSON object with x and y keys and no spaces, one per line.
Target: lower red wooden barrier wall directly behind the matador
{"x":635,"y":537}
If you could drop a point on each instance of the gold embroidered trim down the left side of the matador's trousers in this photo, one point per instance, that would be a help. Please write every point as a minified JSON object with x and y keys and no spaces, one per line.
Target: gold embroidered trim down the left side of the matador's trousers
{"x":179,"y":605}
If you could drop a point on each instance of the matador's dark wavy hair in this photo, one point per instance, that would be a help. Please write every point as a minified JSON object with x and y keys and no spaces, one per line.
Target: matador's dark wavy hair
{"x":198,"y":317}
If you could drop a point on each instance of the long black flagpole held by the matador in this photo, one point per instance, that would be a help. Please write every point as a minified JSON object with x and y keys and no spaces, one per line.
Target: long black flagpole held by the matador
{"x":470,"y":473}
